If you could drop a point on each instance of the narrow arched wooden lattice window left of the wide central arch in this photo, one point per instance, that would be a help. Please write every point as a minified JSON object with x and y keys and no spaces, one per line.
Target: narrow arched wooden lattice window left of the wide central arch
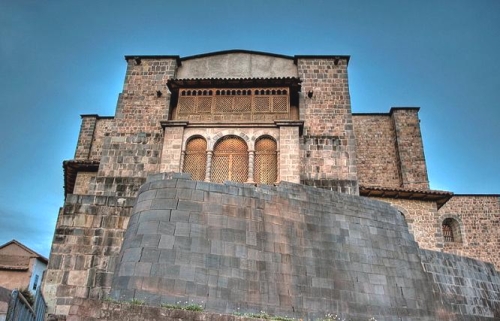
{"x":195,"y":160}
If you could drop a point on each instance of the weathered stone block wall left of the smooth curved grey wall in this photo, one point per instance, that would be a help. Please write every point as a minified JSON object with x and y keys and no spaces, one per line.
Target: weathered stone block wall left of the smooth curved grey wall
{"x":86,"y":242}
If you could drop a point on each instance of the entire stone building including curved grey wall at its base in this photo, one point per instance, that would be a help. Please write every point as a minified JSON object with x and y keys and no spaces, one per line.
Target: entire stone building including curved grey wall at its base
{"x":254,"y":120}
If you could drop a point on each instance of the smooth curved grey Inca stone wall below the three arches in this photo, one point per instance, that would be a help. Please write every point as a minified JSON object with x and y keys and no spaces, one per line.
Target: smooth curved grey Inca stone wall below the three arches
{"x":288,"y":250}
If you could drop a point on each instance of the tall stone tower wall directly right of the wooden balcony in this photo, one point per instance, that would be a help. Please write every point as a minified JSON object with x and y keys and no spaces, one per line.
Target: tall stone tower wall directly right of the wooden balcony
{"x":328,"y":151}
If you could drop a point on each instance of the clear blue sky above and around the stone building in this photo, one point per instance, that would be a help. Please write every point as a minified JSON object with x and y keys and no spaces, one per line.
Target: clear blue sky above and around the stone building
{"x":60,"y":59}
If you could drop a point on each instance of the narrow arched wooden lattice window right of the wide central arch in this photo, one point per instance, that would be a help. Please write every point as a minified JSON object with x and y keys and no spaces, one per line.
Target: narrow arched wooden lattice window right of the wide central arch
{"x":266,"y":161}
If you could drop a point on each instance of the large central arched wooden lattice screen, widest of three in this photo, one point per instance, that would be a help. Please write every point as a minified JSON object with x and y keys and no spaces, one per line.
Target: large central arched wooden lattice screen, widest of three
{"x":230,"y":160}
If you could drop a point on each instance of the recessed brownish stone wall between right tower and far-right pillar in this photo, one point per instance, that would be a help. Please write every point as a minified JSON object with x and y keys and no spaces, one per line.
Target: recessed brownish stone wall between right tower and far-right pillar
{"x":377,"y":162}
